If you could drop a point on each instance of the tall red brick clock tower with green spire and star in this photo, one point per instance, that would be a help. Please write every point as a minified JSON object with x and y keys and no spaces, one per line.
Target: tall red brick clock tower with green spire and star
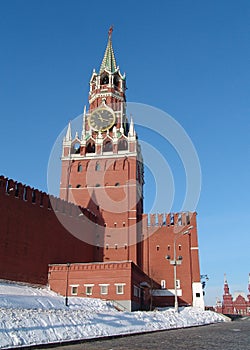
{"x":102,"y":169}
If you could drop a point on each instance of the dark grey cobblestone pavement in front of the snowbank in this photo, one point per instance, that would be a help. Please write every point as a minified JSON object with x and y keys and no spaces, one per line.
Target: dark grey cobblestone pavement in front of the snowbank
{"x":224,"y":336}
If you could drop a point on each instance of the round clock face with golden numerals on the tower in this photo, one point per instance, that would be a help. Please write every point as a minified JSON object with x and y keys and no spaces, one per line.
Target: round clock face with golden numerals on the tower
{"x":101,"y":119}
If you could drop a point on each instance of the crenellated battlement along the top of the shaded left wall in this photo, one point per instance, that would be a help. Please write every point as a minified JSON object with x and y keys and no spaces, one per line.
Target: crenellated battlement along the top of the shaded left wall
{"x":19,"y":191}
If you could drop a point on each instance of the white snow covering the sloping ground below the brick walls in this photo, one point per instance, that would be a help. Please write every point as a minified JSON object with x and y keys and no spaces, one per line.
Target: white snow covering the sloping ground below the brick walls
{"x":30,"y":316}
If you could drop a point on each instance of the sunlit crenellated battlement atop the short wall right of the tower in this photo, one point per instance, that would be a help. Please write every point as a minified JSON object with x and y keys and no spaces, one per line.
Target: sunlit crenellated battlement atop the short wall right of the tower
{"x":169,"y":219}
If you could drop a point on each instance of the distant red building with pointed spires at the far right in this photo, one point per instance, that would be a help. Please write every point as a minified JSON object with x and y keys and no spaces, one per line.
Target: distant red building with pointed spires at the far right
{"x":239,"y":304}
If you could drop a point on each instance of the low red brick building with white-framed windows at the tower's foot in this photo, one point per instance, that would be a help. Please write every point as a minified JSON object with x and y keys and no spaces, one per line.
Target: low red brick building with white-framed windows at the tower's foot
{"x":121,"y":282}
